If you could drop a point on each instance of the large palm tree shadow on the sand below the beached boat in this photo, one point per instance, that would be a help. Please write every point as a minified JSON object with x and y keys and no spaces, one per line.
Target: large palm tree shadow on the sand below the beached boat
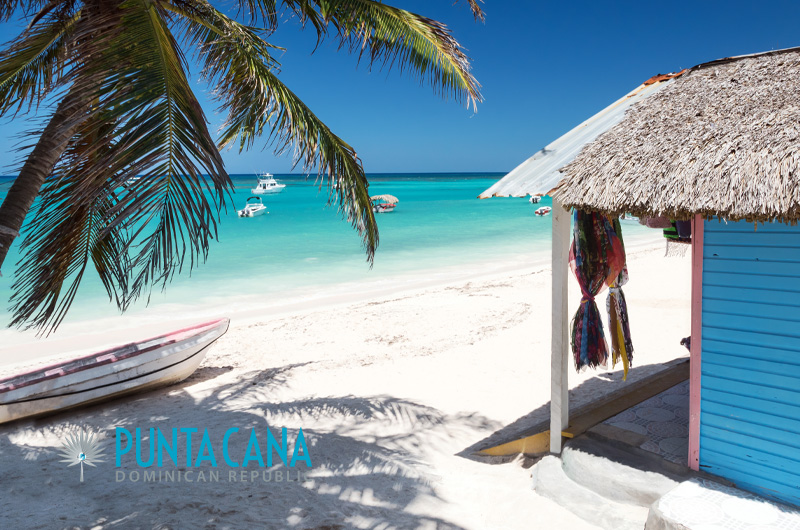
{"x":358,"y":478}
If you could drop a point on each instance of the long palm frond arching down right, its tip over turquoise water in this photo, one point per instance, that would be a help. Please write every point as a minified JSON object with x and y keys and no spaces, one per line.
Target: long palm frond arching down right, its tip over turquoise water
{"x":257,"y":102}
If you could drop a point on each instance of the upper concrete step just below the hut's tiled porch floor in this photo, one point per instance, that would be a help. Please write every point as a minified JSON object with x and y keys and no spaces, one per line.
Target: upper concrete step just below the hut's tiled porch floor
{"x":620,"y":473}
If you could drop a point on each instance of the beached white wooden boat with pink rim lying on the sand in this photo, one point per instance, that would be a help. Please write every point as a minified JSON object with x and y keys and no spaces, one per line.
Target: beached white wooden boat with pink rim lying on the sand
{"x":134,"y":367}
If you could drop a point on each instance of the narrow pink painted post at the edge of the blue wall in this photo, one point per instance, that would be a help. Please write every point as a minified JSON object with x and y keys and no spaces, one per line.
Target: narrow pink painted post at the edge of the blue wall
{"x":694,"y":363}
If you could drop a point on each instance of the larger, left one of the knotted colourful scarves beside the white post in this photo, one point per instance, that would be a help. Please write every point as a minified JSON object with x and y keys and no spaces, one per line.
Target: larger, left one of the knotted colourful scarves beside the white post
{"x":596,"y":258}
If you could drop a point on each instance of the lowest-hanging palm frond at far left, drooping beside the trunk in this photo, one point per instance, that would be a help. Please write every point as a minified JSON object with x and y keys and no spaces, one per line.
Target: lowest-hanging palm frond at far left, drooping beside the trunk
{"x":69,"y":231}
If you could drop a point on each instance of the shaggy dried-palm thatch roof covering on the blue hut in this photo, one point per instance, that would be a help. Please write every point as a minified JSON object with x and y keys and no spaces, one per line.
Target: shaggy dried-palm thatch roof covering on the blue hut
{"x":722,"y":139}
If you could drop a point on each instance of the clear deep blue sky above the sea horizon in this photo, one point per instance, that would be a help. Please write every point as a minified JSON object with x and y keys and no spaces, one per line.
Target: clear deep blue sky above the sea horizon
{"x":544,"y":67}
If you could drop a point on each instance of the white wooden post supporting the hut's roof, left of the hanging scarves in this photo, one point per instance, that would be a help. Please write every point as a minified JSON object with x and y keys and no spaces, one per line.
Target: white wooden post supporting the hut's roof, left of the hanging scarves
{"x":559,"y":345}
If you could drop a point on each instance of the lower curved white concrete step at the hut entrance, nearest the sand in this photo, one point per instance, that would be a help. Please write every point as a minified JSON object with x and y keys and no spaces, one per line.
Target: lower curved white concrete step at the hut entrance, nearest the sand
{"x":550,"y":480}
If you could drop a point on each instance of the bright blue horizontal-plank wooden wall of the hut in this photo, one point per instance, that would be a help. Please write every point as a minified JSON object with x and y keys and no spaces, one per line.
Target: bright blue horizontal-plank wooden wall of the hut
{"x":750,"y":383}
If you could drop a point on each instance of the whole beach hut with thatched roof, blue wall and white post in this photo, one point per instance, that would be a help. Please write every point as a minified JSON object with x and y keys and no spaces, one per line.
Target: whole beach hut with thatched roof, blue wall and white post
{"x":719,"y":145}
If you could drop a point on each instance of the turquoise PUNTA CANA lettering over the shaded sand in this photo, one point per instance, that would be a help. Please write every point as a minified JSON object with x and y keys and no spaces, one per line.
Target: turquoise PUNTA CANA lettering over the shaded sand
{"x":199,"y":449}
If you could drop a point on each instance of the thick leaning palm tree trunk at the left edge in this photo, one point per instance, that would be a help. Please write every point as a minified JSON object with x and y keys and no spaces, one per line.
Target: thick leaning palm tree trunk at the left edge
{"x":38,"y":166}
